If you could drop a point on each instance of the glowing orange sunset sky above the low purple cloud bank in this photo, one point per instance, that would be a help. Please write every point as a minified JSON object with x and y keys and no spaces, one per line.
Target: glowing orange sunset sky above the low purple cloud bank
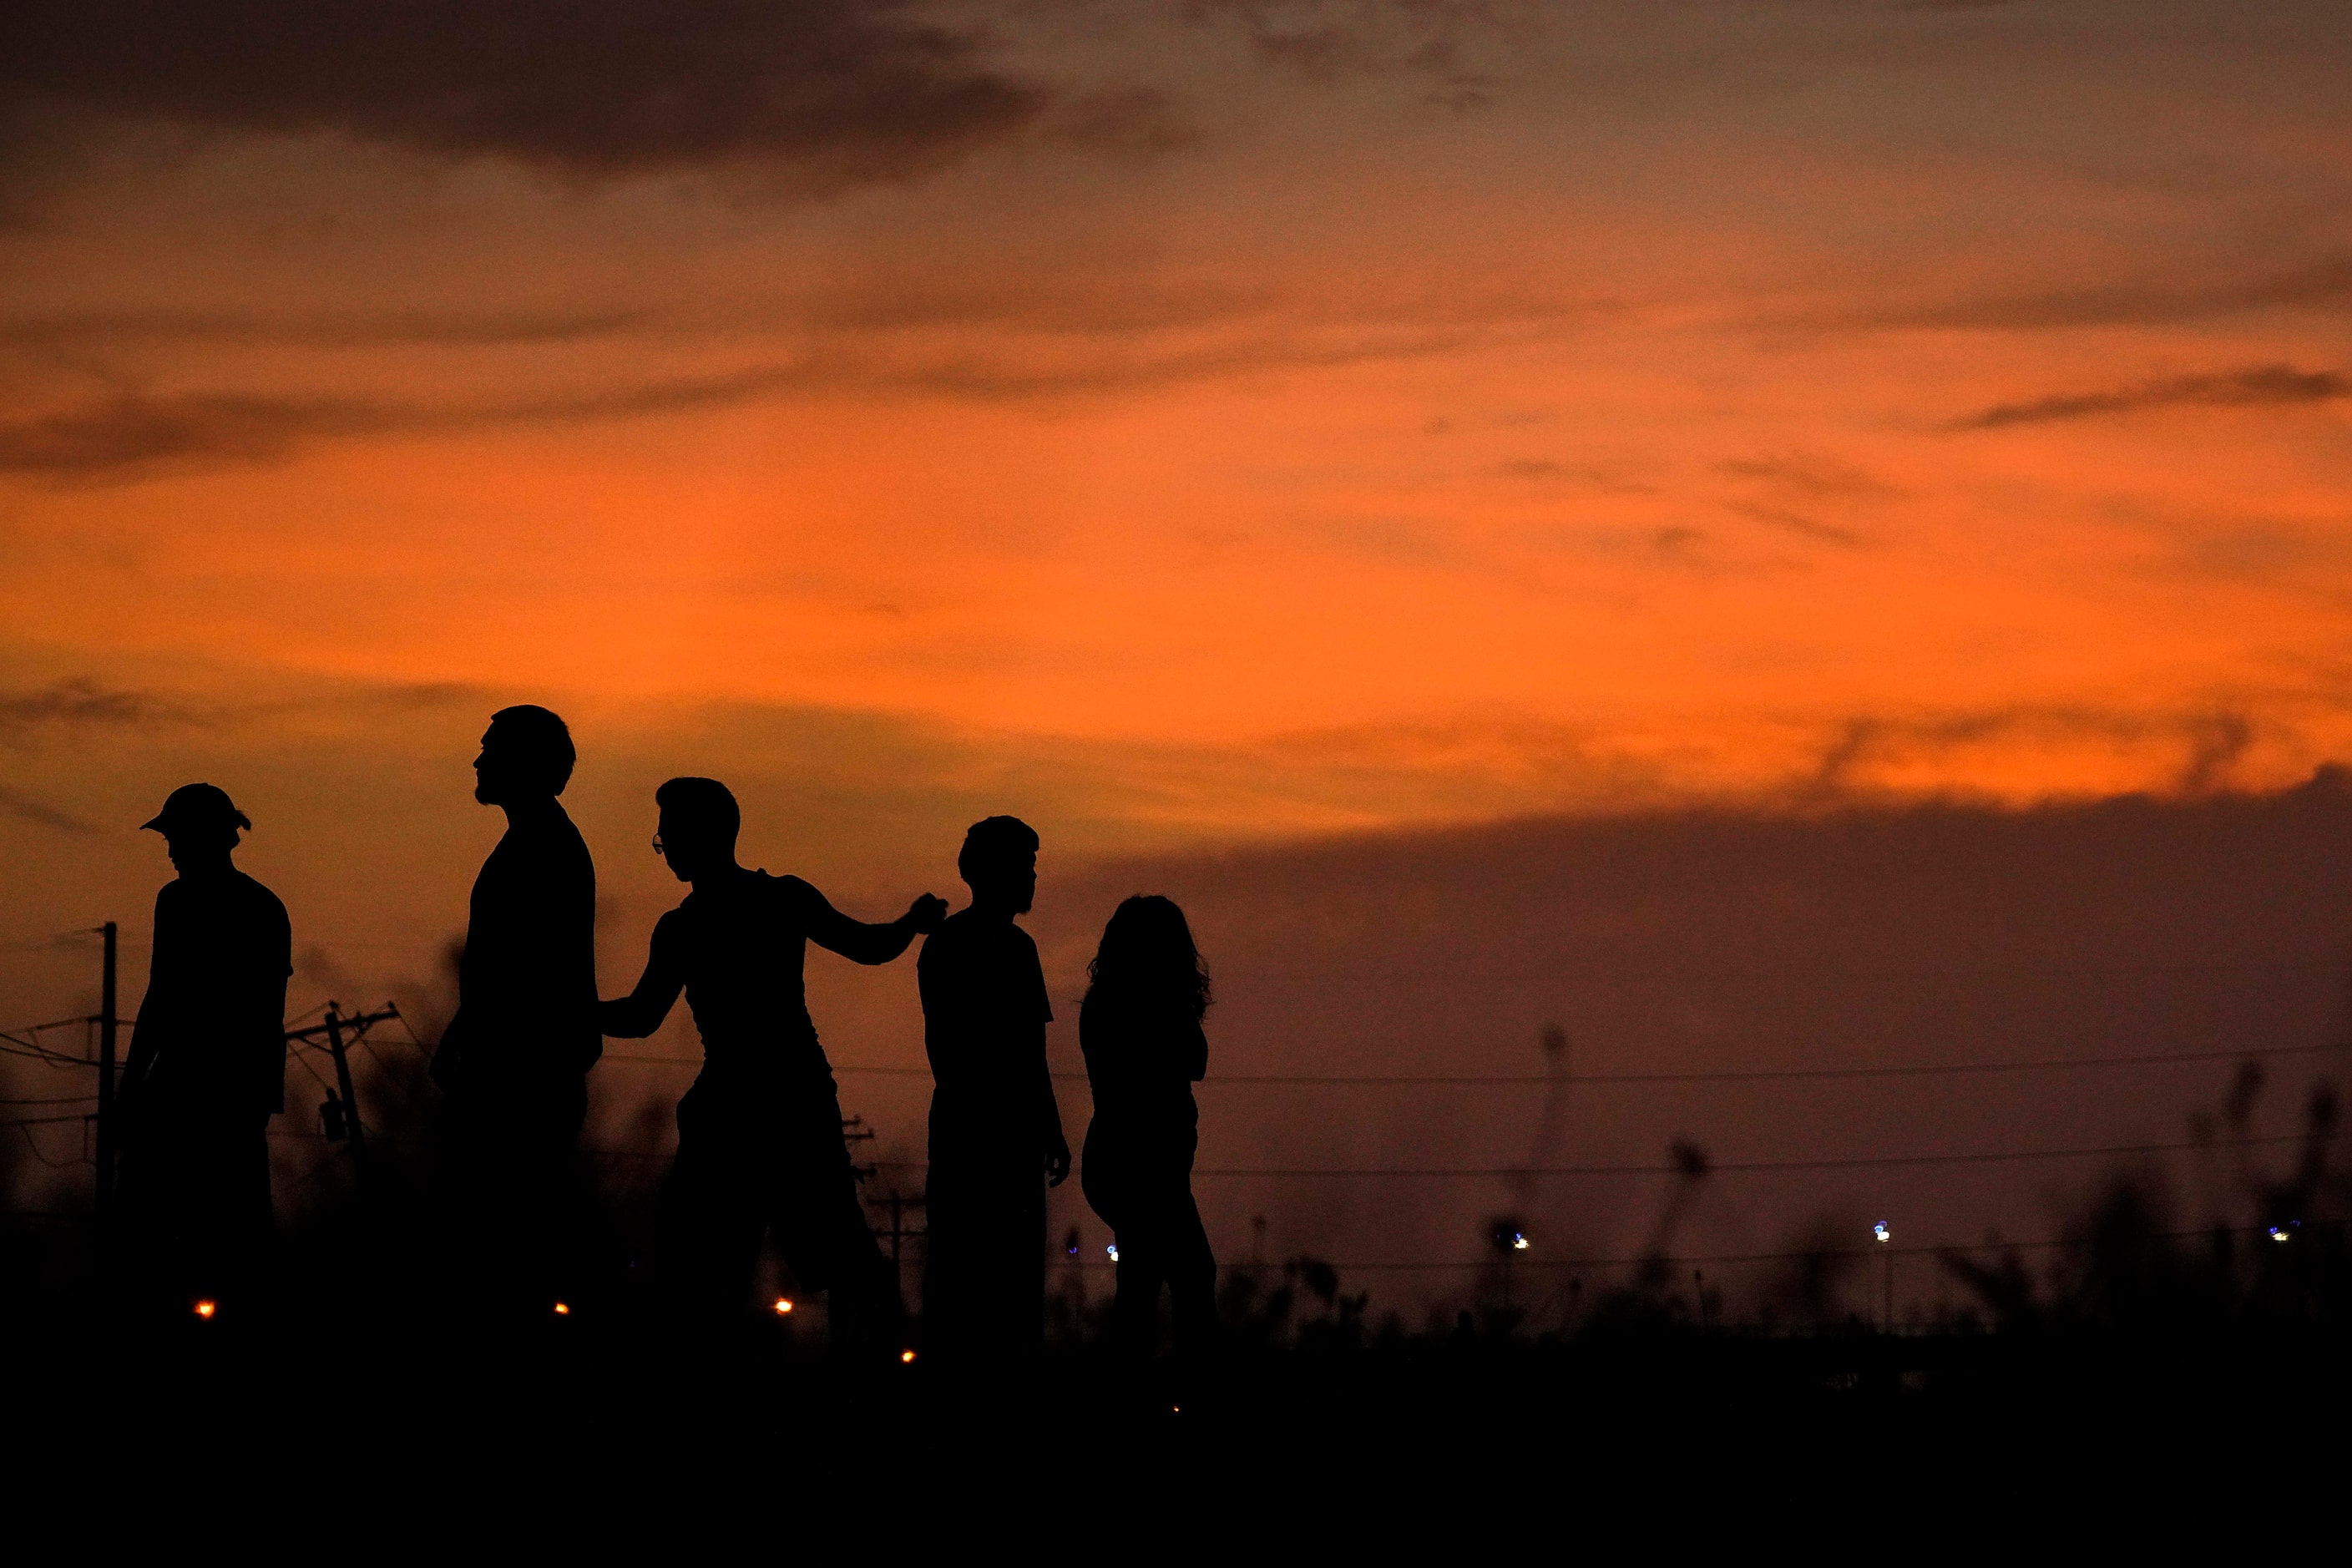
{"x":1194,"y":424}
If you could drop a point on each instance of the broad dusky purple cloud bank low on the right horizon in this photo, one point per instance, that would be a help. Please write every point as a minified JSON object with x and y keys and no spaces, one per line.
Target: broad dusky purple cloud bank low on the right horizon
{"x":1681,"y":942}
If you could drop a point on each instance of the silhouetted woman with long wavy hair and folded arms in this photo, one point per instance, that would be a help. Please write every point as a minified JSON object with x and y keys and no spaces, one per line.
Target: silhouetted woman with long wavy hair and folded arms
{"x":1140,"y":1028}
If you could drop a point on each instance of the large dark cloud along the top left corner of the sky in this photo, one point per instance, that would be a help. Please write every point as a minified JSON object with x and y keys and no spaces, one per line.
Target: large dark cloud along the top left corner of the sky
{"x":841,"y":91}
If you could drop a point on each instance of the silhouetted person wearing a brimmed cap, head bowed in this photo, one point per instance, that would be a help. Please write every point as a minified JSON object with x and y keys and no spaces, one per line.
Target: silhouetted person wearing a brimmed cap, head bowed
{"x":206,"y":1071}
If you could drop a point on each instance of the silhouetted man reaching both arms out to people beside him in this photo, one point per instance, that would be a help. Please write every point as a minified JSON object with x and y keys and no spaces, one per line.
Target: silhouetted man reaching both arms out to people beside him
{"x":761,"y":1132}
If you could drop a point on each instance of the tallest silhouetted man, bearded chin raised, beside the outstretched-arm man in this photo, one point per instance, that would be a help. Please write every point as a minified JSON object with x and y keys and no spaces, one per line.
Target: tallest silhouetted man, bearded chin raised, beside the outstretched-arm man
{"x":516,"y":1057}
